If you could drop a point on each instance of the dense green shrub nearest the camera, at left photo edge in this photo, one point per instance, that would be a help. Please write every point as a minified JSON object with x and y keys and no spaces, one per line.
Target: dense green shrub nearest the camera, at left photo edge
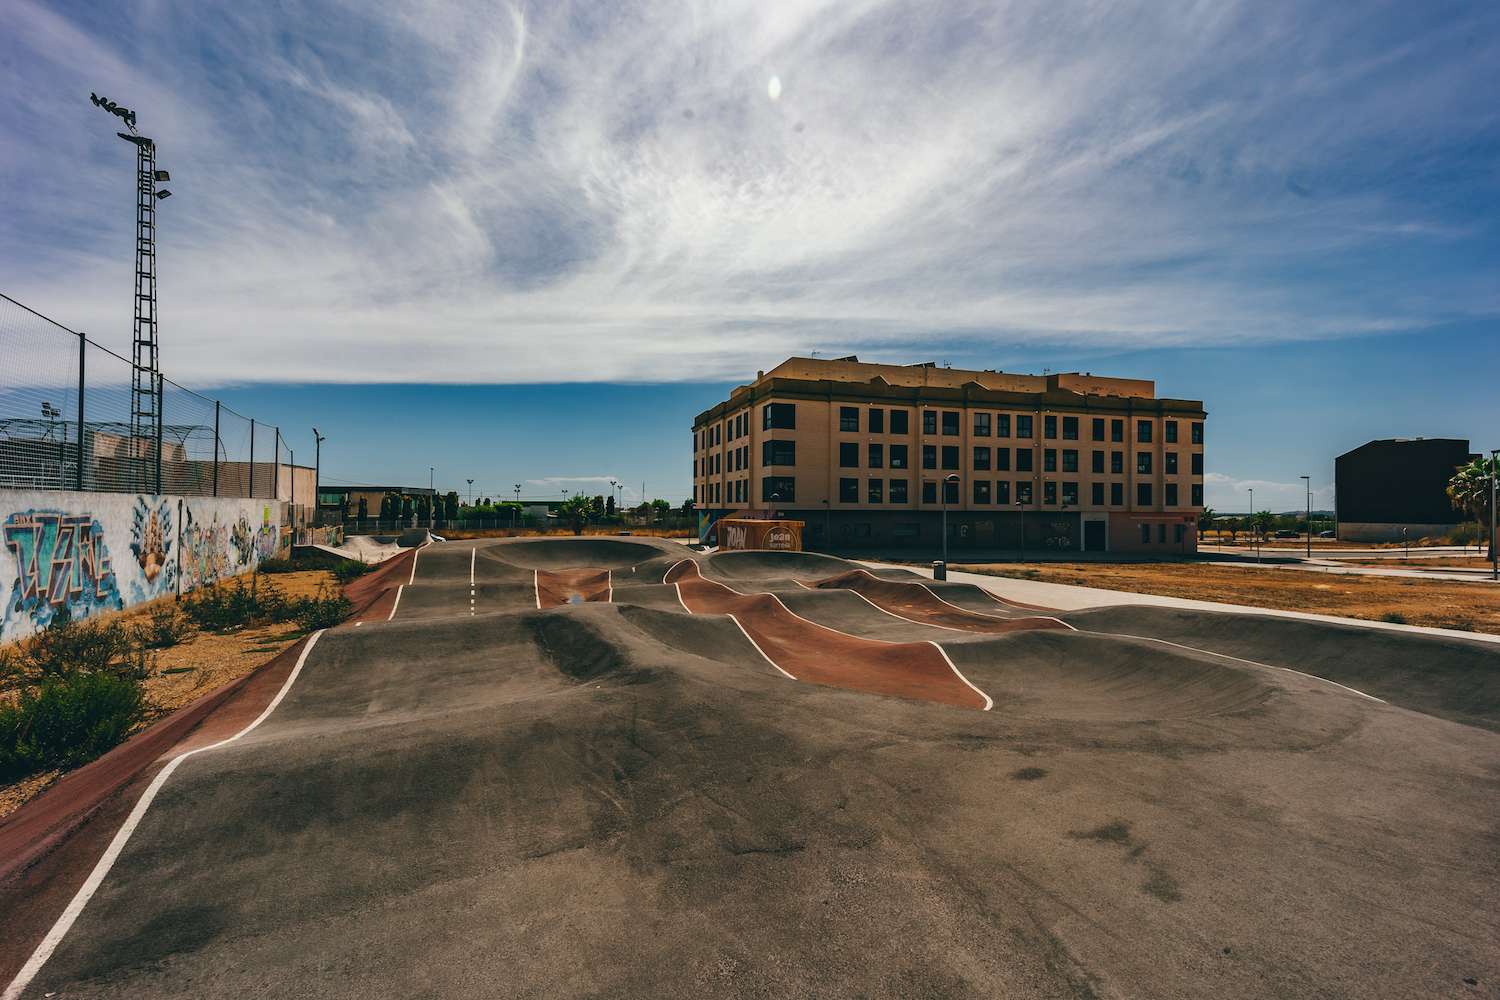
{"x":67,"y":722}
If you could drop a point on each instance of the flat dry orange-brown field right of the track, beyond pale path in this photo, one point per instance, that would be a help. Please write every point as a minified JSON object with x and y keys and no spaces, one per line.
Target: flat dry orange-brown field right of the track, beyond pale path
{"x":1435,"y":603}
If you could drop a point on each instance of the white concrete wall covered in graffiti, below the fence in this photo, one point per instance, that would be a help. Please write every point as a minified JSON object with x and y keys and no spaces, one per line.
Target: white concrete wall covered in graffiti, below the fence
{"x":104,"y":552}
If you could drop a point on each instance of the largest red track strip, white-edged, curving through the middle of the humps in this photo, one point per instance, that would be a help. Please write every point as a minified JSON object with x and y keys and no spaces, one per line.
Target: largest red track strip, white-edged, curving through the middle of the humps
{"x":919,"y":671}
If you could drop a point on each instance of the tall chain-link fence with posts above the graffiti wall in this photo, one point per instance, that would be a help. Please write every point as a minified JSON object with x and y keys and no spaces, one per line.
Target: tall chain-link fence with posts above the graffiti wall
{"x":65,"y":424}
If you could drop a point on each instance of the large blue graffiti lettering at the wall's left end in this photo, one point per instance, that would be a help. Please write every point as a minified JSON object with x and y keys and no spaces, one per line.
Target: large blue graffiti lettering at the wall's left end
{"x":61,"y":561}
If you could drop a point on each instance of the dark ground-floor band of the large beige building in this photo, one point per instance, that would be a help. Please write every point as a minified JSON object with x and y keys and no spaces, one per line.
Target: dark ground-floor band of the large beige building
{"x":1045,"y":531}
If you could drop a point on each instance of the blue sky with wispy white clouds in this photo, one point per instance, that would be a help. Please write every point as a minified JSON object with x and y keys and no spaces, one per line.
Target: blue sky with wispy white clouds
{"x":568,"y":227}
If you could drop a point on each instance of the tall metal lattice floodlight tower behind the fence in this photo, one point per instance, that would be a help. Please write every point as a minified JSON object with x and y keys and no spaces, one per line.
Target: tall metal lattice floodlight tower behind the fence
{"x":146,"y":388}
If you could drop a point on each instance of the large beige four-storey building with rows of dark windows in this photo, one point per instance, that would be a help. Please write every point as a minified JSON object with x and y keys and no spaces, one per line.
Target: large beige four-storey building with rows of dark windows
{"x":871,"y":455}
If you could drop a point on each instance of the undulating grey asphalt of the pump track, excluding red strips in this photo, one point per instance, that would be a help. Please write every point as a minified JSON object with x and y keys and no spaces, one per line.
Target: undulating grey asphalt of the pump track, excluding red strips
{"x":626,"y":800}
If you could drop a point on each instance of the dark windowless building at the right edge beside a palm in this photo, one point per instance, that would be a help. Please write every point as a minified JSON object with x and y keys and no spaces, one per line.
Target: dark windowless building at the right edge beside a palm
{"x":1385,"y":487}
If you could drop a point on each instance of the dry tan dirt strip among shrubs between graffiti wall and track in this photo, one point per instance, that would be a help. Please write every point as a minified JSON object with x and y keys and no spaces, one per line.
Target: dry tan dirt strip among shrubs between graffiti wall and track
{"x":197,"y":665}
